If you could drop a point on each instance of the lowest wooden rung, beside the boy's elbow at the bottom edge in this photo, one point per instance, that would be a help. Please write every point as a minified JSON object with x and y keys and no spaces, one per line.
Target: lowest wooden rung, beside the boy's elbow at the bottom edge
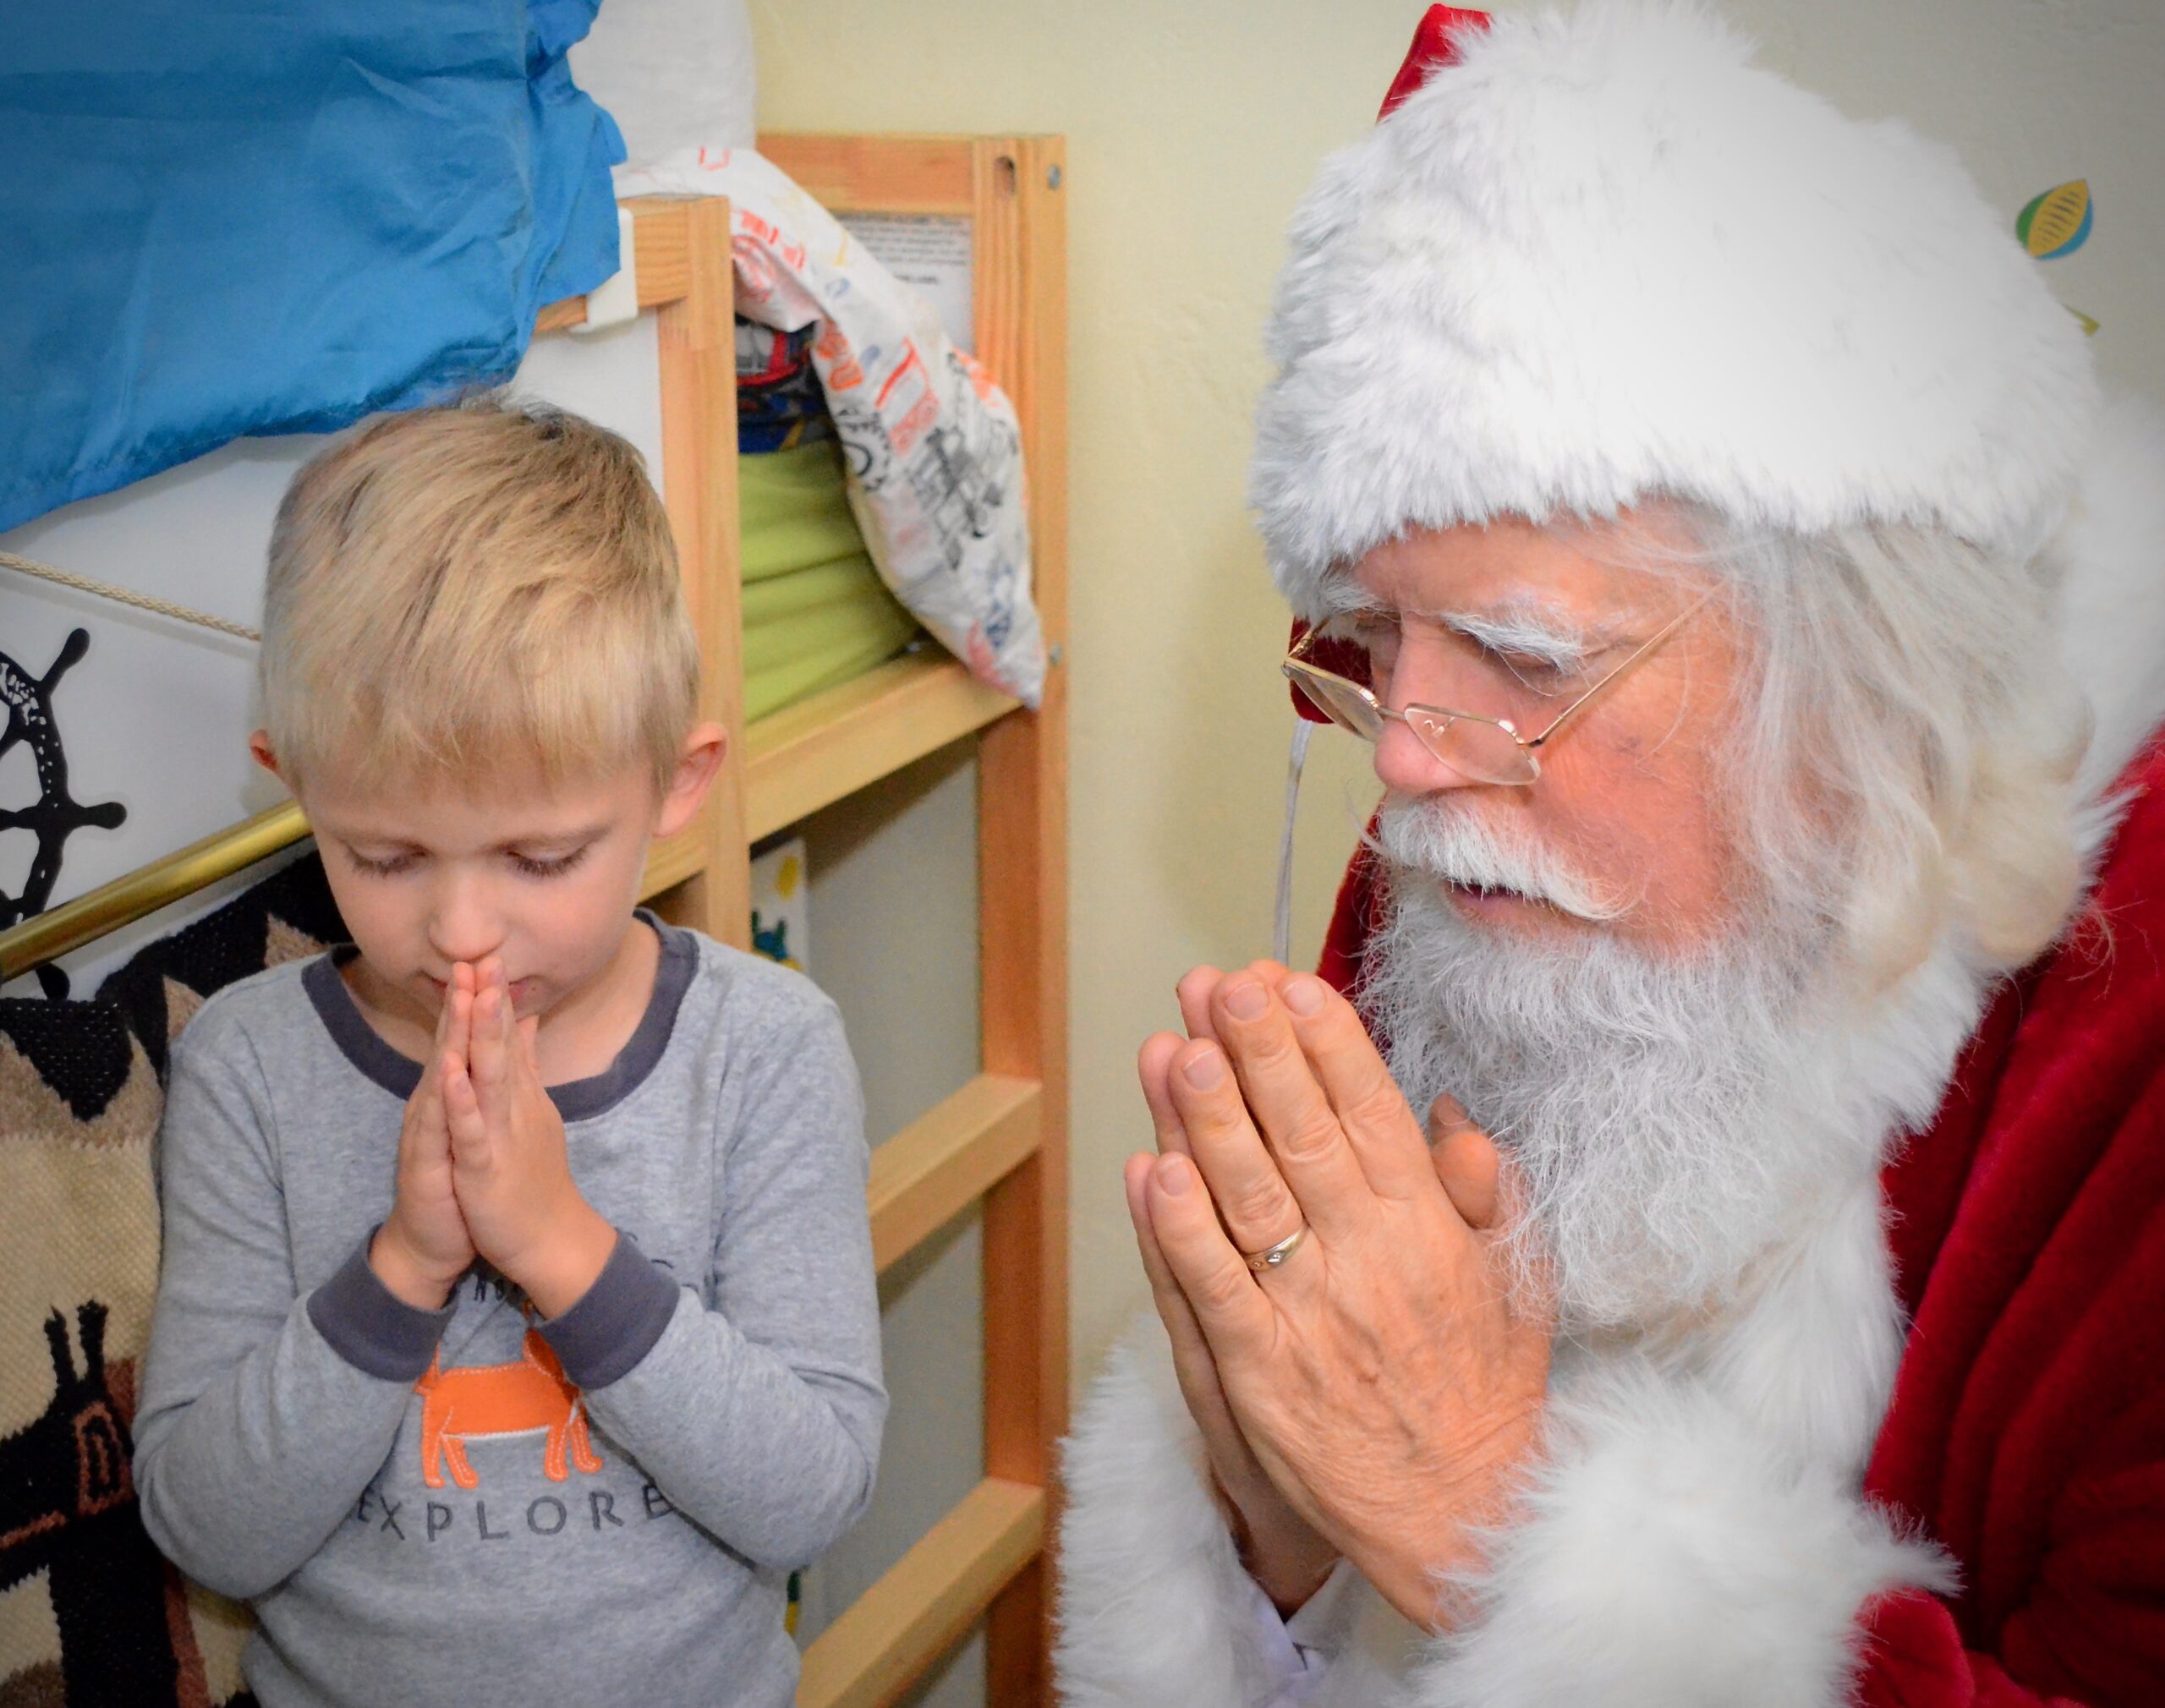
{"x":926,"y":1601}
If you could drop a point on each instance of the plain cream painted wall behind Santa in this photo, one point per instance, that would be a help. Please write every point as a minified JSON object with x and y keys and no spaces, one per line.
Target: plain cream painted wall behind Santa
{"x":1192,"y":129}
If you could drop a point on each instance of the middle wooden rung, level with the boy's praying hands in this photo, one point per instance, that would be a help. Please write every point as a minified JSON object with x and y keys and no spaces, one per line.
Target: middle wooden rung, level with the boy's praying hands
{"x":949,"y":1157}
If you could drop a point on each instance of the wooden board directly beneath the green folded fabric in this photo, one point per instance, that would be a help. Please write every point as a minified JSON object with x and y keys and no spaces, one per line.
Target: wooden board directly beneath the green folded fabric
{"x":839,"y":741}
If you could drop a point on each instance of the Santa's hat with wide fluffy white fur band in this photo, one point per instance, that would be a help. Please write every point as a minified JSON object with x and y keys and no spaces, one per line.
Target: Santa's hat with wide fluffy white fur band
{"x":1595,"y":257}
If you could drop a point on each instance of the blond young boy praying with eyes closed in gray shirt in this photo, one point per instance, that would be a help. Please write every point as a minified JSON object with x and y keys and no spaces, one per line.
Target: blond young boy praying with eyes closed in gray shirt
{"x":519,"y":1324}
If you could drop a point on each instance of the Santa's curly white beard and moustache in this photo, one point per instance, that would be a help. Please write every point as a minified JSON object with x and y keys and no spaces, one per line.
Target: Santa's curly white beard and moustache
{"x":1668,"y":1116}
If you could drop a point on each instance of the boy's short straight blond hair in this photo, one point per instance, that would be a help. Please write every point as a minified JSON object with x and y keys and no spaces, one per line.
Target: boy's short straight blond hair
{"x":475,"y":586}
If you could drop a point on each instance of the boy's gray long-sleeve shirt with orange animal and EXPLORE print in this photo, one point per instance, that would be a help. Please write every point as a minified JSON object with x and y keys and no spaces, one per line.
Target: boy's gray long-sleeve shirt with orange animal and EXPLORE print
{"x":441,"y":1508}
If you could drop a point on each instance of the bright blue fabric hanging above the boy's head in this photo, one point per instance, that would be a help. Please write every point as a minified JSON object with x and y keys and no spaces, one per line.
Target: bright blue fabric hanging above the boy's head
{"x":226,"y":218}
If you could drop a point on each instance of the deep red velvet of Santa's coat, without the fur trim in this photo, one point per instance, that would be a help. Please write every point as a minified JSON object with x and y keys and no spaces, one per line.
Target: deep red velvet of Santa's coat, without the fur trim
{"x":2028,"y":1226}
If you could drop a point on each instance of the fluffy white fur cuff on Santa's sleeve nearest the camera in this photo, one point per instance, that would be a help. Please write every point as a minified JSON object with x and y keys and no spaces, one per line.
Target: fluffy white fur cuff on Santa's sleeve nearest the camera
{"x":1675,"y":1560}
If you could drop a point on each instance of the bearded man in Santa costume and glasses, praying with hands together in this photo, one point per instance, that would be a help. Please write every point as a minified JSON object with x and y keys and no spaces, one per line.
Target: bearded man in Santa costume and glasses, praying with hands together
{"x":1759,"y":616}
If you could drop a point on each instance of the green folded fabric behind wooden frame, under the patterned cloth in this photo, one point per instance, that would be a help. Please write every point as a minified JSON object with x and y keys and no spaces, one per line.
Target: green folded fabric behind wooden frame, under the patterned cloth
{"x":815,"y":607}
